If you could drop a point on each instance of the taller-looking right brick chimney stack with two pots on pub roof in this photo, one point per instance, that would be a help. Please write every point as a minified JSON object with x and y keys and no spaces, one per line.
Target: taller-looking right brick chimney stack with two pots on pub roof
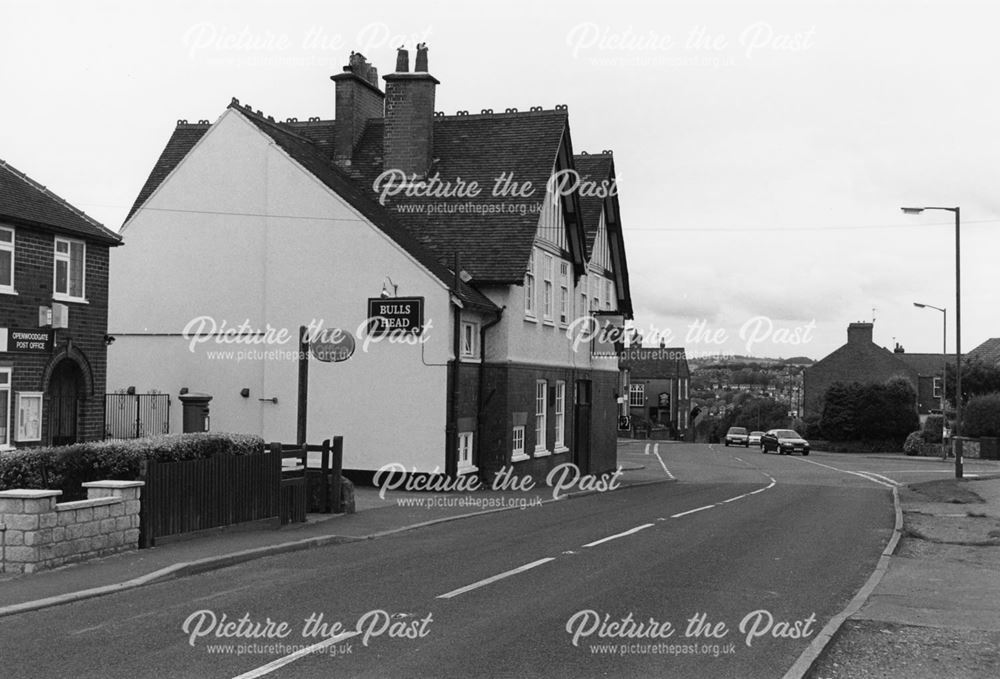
{"x":409,"y":115}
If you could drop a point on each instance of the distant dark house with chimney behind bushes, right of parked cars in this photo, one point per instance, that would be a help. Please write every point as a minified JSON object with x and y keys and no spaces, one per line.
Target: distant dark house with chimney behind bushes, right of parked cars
{"x":861,"y":360}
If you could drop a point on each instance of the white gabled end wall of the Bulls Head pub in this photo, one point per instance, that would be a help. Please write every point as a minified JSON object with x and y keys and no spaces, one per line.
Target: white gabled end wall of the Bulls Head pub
{"x":285,"y":251}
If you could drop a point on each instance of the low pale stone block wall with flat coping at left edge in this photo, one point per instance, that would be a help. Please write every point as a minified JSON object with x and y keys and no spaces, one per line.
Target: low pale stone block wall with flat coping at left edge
{"x":36,"y":532}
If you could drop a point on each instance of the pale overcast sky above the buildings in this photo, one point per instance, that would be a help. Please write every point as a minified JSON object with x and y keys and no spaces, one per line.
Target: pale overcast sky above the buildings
{"x":763,"y":149}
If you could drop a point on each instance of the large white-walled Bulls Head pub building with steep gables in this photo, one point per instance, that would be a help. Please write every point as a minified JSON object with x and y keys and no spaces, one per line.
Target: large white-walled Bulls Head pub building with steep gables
{"x":277,"y":224}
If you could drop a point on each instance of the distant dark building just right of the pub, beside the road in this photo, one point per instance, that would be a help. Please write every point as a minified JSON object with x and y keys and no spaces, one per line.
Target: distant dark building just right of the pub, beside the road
{"x":658,"y":382}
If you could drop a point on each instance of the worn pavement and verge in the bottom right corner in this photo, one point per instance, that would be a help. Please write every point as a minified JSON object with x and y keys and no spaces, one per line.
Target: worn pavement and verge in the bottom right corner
{"x":935,"y":613}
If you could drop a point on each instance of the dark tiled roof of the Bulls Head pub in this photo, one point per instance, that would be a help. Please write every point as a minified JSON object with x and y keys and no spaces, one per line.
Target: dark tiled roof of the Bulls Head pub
{"x":493,"y":246}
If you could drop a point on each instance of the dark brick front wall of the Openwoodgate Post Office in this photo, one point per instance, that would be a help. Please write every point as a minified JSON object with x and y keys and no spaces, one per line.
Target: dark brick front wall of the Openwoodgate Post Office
{"x":83,"y":340}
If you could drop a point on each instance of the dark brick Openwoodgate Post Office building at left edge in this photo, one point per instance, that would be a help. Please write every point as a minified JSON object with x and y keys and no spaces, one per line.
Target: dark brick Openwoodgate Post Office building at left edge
{"x":53,"y":316}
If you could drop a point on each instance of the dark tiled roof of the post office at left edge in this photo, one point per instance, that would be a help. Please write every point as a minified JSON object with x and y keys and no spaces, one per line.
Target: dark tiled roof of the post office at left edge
{"x":25,"y":200}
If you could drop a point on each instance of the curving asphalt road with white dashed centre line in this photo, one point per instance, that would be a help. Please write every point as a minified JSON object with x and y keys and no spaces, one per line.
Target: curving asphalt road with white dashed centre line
{"x":732,"y":570}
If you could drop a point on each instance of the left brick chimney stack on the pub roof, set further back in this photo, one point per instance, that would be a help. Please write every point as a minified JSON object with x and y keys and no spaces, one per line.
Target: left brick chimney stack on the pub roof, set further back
{"x":358,"y":99}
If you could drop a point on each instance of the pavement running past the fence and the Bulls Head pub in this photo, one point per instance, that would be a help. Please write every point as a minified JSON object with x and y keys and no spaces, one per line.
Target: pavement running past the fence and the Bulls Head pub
{"x":375,"y":516}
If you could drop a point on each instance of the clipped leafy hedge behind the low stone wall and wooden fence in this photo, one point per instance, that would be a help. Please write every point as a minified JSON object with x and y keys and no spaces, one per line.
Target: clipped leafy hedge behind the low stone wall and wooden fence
{"x":65,"y":468}
